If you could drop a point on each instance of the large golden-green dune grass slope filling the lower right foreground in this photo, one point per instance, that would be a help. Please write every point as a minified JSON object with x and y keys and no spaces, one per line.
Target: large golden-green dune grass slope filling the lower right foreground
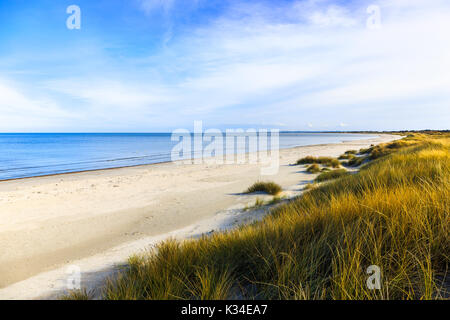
{"x":393,"y":213}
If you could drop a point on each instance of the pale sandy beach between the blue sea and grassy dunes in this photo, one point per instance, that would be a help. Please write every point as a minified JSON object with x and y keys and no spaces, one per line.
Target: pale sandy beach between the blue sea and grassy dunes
{"x":95,"y":220}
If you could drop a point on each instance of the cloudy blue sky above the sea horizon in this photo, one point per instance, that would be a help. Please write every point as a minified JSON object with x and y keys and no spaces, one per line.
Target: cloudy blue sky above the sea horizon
{"x":160,"y":65}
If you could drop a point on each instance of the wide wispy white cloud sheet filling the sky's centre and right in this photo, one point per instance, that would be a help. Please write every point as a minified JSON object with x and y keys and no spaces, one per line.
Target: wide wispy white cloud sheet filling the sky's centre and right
{"x":299,"y":64}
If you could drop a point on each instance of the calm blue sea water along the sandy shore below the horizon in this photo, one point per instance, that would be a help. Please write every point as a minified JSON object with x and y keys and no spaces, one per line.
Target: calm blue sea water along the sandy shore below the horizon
{"x":27,"y":155}
